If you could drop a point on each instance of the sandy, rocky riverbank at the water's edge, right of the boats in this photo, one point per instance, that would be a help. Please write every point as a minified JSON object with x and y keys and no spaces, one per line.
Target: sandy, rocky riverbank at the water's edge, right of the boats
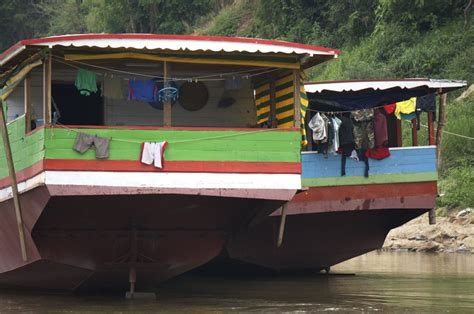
{"x":451,"y":234}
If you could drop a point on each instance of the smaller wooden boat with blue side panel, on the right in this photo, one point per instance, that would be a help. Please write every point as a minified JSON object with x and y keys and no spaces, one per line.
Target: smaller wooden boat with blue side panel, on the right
{"x":335,"y":218}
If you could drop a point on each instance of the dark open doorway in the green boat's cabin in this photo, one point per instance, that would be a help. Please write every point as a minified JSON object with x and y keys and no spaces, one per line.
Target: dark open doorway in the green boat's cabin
{"x":76,"y":109}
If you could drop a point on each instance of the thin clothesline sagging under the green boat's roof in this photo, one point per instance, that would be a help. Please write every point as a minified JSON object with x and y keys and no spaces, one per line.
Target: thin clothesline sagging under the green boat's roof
{"x":219,"y":76}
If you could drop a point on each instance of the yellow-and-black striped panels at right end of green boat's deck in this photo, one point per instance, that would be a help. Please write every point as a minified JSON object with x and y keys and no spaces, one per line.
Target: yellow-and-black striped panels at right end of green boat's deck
{"x":284,"y":103}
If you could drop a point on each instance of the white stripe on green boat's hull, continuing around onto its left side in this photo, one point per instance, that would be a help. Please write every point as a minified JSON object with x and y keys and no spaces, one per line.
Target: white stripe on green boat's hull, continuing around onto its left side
{"x":150,"y":181}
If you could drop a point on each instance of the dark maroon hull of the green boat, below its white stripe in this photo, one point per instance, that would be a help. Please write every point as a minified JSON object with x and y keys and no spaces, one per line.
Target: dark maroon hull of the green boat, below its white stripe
{"x":90,"y":242}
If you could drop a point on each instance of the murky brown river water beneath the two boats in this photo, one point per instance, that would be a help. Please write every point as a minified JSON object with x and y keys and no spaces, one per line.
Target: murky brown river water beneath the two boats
{"x":378,"y":281}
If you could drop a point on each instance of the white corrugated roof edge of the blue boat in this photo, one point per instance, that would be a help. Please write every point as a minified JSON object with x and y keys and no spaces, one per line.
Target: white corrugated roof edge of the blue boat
{"x":358,"y":85}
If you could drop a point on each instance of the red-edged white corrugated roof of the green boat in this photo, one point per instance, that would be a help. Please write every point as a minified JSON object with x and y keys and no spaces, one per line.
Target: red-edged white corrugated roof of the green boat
{"x":171,"y":42}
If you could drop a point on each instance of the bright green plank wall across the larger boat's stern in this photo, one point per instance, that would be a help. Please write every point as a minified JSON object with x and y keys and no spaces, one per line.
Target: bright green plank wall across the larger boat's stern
{"x":270,"y":146}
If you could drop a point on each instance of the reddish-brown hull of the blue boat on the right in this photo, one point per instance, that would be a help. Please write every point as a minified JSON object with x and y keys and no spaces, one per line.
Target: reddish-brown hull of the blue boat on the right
{"x":327,"y":225}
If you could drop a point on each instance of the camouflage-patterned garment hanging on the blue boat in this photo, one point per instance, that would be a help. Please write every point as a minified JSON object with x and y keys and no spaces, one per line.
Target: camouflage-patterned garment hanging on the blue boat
{"x":364,"y":137}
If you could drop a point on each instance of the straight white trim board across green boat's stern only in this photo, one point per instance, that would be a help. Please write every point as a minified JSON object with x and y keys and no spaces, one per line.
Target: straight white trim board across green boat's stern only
{"x":174,"y":180}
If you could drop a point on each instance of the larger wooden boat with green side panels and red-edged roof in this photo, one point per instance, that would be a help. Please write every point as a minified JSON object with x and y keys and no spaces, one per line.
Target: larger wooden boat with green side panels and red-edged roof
{"x":69,"y":221}
